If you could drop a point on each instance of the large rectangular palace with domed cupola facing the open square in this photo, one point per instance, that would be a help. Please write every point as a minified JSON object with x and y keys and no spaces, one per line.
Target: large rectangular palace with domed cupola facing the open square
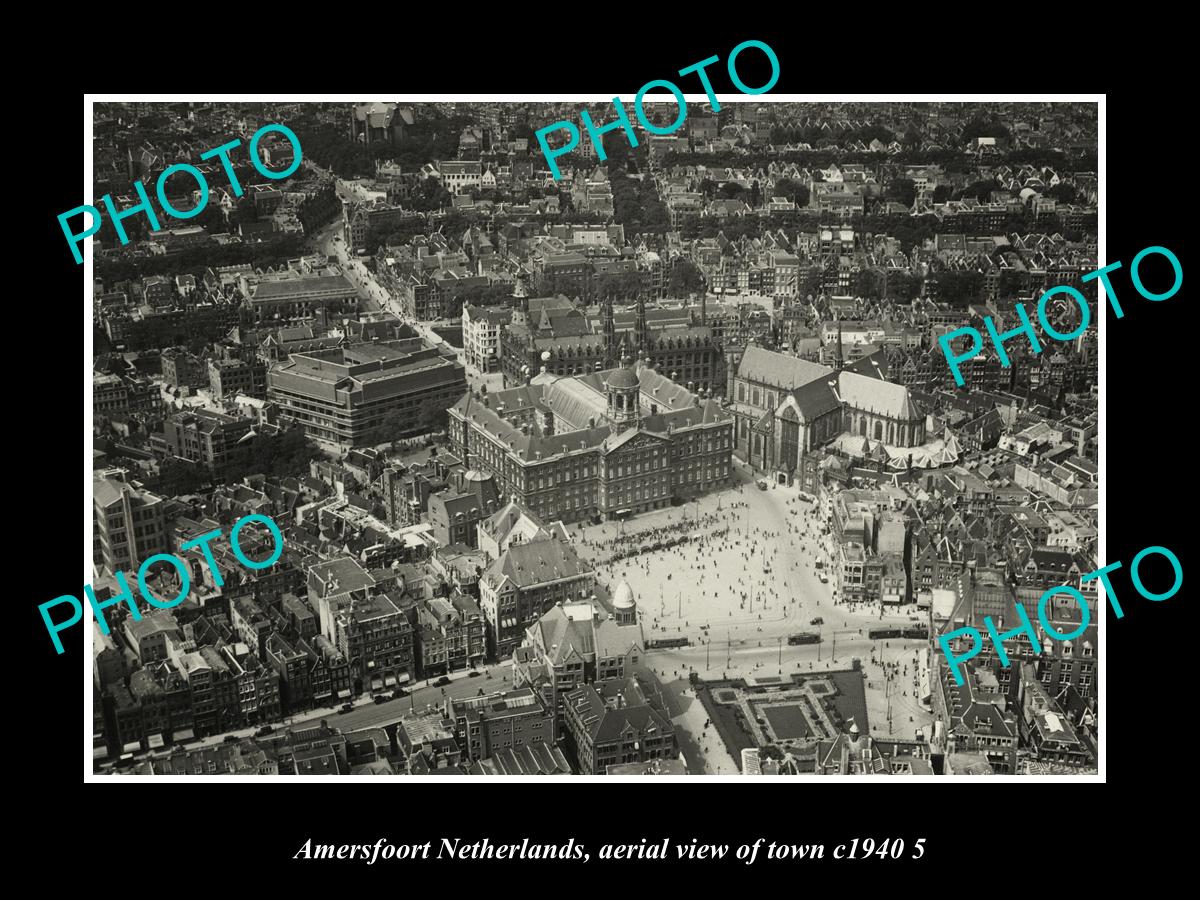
{"x":609,"y":443}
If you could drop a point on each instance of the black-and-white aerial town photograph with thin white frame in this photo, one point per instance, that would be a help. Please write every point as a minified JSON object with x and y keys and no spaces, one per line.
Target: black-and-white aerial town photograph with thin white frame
{"x":473,"y":439}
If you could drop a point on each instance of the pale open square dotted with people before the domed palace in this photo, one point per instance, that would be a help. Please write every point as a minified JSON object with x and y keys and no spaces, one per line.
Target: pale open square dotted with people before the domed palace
{"x":745,"y":581}
